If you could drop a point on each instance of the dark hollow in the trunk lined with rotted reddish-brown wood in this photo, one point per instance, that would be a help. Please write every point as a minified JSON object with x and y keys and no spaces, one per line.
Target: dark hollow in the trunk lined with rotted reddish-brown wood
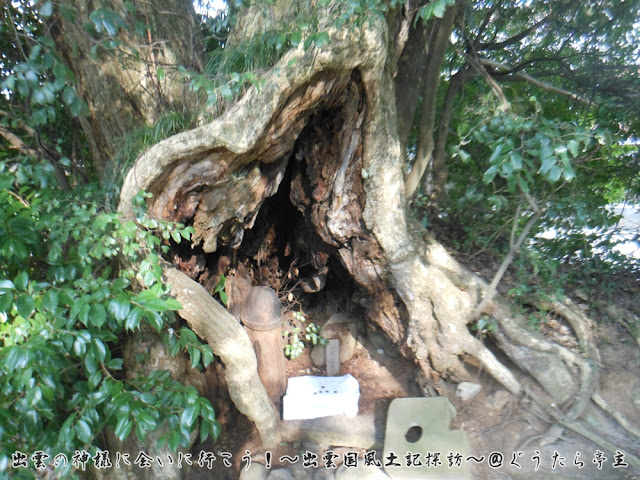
{"x":291,"y":208}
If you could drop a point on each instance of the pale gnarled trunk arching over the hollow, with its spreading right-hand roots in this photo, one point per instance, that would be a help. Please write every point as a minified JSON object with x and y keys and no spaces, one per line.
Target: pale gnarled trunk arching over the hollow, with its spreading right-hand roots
{"x":331,"y":119}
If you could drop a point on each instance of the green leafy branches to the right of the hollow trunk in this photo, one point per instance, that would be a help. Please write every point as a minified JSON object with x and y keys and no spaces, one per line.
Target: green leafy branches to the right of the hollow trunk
{"x":567,"y":136}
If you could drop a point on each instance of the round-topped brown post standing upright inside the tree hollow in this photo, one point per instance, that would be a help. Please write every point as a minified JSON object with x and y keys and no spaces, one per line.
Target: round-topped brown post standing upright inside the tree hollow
{"x":262,"y":318}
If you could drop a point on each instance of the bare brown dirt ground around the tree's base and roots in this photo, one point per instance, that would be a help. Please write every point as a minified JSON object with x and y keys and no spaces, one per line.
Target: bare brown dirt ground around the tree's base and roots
{"x":495,"y":422}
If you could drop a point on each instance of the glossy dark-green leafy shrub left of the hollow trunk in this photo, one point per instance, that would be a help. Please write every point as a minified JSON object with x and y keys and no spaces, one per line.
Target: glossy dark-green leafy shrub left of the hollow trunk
{"x":67,"y":296}
